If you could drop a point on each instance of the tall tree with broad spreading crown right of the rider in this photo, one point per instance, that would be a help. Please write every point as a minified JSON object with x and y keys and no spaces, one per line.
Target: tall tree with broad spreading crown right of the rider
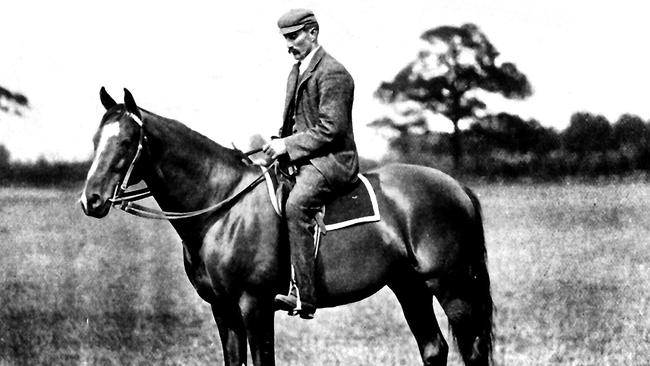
{"x":443,"y":77}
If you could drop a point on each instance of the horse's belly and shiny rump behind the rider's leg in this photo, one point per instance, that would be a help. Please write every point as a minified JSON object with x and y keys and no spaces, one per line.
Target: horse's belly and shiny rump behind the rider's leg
{"x":424,"y":216}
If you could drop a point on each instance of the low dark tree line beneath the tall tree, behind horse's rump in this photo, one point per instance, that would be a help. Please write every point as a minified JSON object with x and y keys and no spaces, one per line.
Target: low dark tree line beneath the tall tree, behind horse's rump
{"x":507,"y":146}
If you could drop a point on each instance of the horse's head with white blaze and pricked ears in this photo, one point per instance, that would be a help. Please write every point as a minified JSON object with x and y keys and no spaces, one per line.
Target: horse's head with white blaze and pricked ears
{"x":116,"y":144}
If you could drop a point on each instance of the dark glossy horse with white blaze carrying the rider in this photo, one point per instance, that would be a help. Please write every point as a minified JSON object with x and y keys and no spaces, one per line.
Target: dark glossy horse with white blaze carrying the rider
{"x":428,"y":243}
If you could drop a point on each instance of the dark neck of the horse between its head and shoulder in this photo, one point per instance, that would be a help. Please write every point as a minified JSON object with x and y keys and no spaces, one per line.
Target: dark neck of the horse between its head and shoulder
{"x":187,"y":171}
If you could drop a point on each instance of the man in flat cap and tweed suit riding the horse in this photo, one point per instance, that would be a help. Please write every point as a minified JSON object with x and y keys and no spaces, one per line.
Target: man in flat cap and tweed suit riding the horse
{"x":317,"y":139}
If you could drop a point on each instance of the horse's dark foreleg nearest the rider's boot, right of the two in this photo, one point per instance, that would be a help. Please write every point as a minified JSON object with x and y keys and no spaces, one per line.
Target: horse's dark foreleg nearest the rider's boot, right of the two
{"x":258,"y":317}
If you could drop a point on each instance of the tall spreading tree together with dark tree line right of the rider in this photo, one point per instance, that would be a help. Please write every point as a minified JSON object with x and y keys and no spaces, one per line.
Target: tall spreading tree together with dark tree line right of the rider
{"x":447,"y":78}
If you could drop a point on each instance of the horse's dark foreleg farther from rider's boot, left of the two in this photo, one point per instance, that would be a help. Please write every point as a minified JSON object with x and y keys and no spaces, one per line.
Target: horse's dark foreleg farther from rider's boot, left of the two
{"x":232,"y":333}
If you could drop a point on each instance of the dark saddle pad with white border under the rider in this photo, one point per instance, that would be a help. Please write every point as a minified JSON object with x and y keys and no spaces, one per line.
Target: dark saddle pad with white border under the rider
{"x":358,"y":205}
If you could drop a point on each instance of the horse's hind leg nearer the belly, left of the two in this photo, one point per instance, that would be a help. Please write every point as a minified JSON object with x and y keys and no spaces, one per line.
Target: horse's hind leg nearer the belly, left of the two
{"x":417,"y":303}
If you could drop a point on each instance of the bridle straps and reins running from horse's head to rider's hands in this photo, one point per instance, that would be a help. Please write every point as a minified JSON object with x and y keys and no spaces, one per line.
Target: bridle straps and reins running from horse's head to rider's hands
{"x":125,"y":200}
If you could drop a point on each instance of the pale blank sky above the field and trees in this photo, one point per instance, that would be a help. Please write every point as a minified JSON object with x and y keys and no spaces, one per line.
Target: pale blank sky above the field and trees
{"x":221,"y":67}
